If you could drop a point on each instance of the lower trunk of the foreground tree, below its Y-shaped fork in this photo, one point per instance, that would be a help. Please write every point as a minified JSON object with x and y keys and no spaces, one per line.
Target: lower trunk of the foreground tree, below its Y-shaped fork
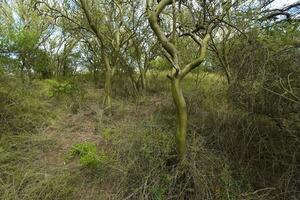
{"x":181,"y":117}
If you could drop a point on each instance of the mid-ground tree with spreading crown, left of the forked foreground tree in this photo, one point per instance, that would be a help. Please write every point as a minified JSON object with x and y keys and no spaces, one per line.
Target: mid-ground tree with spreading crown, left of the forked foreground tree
{"x":106,"y":22}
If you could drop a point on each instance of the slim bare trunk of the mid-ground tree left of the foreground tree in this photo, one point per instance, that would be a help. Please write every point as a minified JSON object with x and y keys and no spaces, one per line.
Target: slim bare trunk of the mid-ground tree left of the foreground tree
{"x":108,"y":80}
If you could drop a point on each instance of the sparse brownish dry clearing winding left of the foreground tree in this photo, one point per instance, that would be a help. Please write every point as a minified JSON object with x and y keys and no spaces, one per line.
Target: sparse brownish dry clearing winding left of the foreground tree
{"x":87,"y":126}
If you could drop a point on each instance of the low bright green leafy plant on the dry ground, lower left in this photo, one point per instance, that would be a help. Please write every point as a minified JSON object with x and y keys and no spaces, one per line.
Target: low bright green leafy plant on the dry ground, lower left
{"x":88,"y":154}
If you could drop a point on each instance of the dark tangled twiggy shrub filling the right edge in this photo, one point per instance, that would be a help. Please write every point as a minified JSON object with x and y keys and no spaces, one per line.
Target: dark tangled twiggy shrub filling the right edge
{"x":266,"y":86}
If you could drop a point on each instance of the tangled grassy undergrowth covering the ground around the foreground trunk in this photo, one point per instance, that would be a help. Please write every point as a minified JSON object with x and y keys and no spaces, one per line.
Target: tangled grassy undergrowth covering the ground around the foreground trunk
{"x":232,"y":154}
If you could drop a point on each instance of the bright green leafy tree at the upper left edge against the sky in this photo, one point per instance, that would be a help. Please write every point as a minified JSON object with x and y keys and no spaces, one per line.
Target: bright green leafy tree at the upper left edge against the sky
{"x":23,"y":34}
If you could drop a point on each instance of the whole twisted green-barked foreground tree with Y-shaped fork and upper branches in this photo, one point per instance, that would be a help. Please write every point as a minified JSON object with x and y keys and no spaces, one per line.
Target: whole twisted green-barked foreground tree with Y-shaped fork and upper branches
{"x":179,"y":73}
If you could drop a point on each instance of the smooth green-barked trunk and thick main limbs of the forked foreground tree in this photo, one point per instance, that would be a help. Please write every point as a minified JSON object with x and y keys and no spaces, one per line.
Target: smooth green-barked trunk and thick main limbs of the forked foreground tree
{"x":178,"y":73}
